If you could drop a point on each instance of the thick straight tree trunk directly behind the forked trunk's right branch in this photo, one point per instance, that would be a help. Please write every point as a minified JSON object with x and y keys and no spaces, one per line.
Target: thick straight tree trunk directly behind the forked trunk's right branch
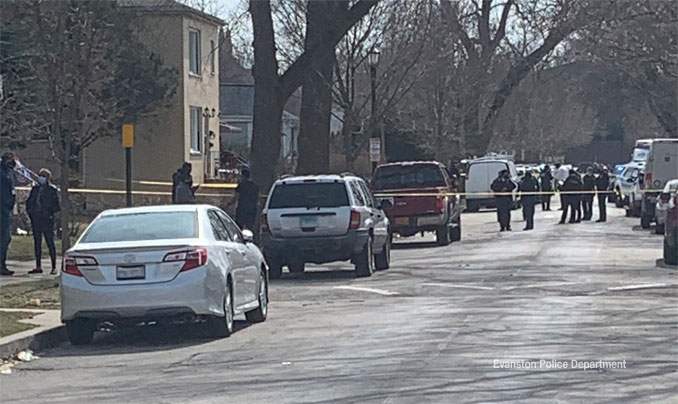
{"x":316,"y":99}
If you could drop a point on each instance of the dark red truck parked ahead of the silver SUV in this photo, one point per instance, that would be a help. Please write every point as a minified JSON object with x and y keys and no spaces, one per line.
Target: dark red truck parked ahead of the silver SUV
{"x":418,"y":193}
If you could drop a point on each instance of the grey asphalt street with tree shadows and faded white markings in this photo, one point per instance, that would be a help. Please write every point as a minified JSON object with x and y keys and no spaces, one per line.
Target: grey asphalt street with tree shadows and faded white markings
{"x":435,"y":328}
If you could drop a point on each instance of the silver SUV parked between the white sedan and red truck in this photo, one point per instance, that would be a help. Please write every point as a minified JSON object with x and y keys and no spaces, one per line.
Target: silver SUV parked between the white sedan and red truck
{"x":322,"y":219}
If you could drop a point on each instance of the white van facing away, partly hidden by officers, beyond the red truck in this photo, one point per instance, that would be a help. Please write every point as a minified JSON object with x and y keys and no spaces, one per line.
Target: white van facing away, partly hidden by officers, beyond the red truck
{"x":481,"y":172}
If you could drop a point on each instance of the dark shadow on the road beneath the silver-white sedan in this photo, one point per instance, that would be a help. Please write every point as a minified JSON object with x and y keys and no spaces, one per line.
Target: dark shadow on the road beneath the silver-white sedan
{"x":144,"y":339}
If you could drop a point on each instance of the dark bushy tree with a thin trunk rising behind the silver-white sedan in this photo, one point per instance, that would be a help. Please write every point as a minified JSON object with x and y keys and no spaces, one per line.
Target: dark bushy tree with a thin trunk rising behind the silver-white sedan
{"x":84,"y":72}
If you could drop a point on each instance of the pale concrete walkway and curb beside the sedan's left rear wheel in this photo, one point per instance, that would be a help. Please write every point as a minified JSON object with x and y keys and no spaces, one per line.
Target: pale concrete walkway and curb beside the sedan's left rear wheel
{"x":49,"y":332}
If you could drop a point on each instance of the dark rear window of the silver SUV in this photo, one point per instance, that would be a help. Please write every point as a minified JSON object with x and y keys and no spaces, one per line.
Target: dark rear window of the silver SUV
{"x":309,"y":195}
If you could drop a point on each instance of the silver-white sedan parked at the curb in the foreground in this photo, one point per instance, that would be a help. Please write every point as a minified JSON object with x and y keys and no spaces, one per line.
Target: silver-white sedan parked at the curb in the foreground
{"x":178,"y":263}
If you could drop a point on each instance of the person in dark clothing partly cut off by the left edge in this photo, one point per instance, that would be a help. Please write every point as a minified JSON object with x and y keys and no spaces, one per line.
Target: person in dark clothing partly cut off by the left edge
{"x":7,"y":200}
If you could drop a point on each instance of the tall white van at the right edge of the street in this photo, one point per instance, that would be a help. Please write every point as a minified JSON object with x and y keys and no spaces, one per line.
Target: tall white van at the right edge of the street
{"x":661,"y":167}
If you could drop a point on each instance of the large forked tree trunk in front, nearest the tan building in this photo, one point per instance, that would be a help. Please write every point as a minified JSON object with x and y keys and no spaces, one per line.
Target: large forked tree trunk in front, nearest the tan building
{"x":272,"y":88}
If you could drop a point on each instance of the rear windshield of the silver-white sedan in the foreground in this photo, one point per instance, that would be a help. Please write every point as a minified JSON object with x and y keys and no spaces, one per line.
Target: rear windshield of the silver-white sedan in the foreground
{"x":142,"y":227}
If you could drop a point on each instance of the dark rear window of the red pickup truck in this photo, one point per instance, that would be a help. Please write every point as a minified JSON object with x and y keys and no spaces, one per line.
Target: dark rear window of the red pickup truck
{"x":410,"y":176}
